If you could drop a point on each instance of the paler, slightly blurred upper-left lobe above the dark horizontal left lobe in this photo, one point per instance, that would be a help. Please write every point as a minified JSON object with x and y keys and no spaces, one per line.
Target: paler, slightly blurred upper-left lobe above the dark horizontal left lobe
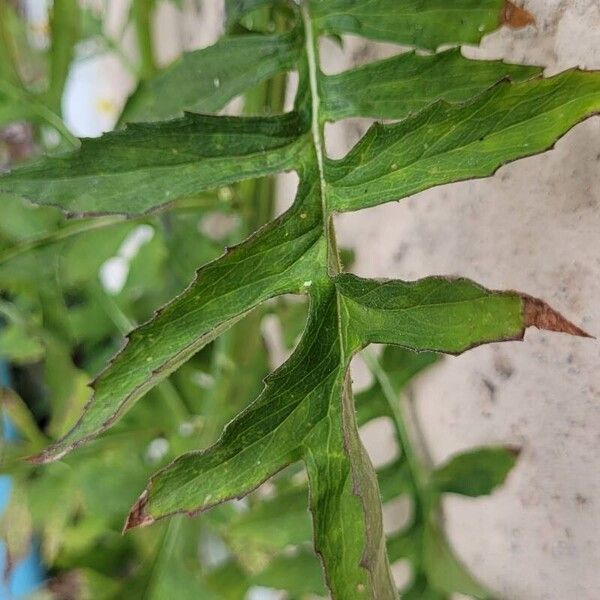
{"x":205,"y":80}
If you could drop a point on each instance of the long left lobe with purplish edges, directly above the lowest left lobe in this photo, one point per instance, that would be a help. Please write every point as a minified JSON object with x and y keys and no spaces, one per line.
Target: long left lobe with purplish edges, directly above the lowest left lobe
{"x":277,"y":260}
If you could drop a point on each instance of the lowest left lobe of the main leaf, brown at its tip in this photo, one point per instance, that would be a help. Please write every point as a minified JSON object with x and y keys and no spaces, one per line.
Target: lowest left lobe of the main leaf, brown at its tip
{"x":262,"y":439}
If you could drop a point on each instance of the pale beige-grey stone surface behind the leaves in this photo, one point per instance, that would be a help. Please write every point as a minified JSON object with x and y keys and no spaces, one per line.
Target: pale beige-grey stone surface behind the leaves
{"x":534,"y":227}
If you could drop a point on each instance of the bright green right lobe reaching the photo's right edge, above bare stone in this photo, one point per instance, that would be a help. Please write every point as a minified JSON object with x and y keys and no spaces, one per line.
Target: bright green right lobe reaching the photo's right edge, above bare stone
{"x":443,"y":144}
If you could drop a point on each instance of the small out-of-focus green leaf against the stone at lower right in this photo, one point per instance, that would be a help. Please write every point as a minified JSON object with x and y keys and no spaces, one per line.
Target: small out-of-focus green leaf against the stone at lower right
{"x":476,"y":472}
